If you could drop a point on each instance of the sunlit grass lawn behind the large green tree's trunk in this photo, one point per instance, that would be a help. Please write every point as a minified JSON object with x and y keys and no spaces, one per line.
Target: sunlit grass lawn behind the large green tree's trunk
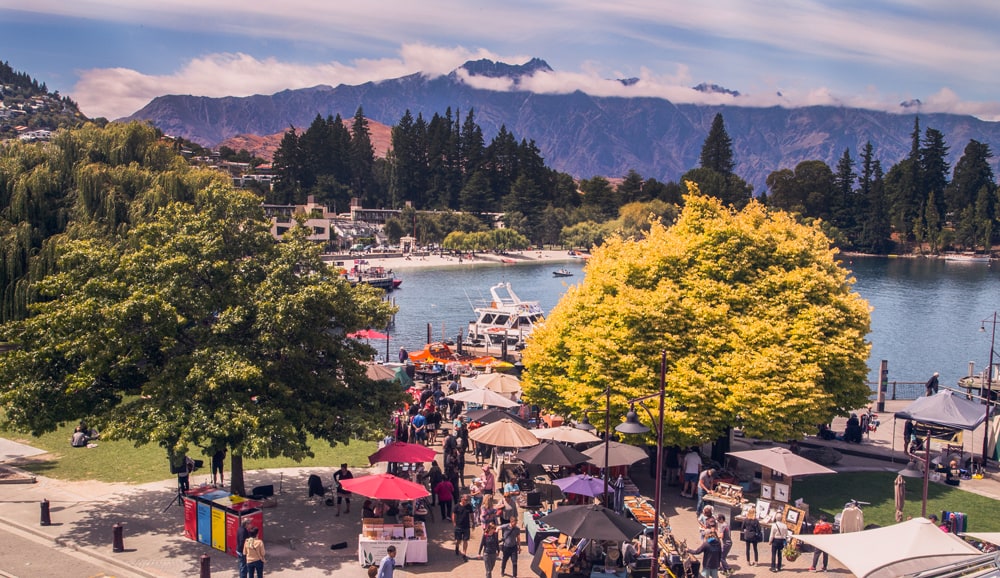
{"x":121,"y":461}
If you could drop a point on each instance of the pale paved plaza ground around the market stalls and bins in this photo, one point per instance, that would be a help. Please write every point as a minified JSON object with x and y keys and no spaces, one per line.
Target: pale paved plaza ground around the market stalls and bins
{"x":300,"y":530}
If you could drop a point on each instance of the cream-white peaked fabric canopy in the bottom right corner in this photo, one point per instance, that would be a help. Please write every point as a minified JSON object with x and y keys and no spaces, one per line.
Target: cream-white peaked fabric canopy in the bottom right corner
{"x":896,"y":550}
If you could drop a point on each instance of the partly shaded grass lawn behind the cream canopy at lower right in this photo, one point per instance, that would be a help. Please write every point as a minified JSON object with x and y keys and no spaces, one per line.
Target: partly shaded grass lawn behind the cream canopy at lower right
{"x":828,"y":494}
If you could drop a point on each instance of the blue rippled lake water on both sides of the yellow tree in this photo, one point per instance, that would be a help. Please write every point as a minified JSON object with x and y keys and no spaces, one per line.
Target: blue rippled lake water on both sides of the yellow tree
{"x":926,"y":312}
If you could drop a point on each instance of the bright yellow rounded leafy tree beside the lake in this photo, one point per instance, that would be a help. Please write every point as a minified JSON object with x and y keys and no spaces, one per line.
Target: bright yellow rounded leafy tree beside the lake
{"x":759,"y":323}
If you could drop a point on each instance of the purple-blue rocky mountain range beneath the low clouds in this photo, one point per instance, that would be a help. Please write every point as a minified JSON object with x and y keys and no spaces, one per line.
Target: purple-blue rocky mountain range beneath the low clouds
{"x":578,"y":133}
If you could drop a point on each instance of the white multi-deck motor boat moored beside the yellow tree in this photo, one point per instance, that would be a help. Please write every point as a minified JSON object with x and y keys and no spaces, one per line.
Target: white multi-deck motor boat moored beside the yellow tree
{"x":504,"y":317}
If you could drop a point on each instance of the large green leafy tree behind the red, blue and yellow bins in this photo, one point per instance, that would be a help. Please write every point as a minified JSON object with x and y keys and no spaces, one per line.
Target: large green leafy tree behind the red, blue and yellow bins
{"x":197,"y":330}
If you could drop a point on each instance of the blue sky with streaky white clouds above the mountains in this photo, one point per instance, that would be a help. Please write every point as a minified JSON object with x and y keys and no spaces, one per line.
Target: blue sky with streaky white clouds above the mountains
{"x":113,"y":56}
